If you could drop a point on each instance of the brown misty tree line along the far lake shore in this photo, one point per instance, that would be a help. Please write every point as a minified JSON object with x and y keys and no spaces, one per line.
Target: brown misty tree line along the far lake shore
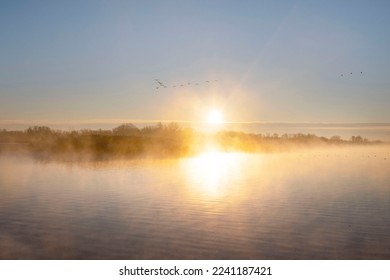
{"x":161,"y":139}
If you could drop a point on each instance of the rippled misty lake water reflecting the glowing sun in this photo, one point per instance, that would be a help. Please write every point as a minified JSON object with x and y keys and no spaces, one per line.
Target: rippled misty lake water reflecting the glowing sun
{"x":330,"y":204}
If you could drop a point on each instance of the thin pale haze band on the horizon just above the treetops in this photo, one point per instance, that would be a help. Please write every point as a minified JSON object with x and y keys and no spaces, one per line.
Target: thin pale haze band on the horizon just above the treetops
{"x":372,"y":131}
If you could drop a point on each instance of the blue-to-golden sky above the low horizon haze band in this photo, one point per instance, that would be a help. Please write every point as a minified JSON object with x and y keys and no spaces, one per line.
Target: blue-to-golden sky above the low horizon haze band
{"x":97,"y":61}
